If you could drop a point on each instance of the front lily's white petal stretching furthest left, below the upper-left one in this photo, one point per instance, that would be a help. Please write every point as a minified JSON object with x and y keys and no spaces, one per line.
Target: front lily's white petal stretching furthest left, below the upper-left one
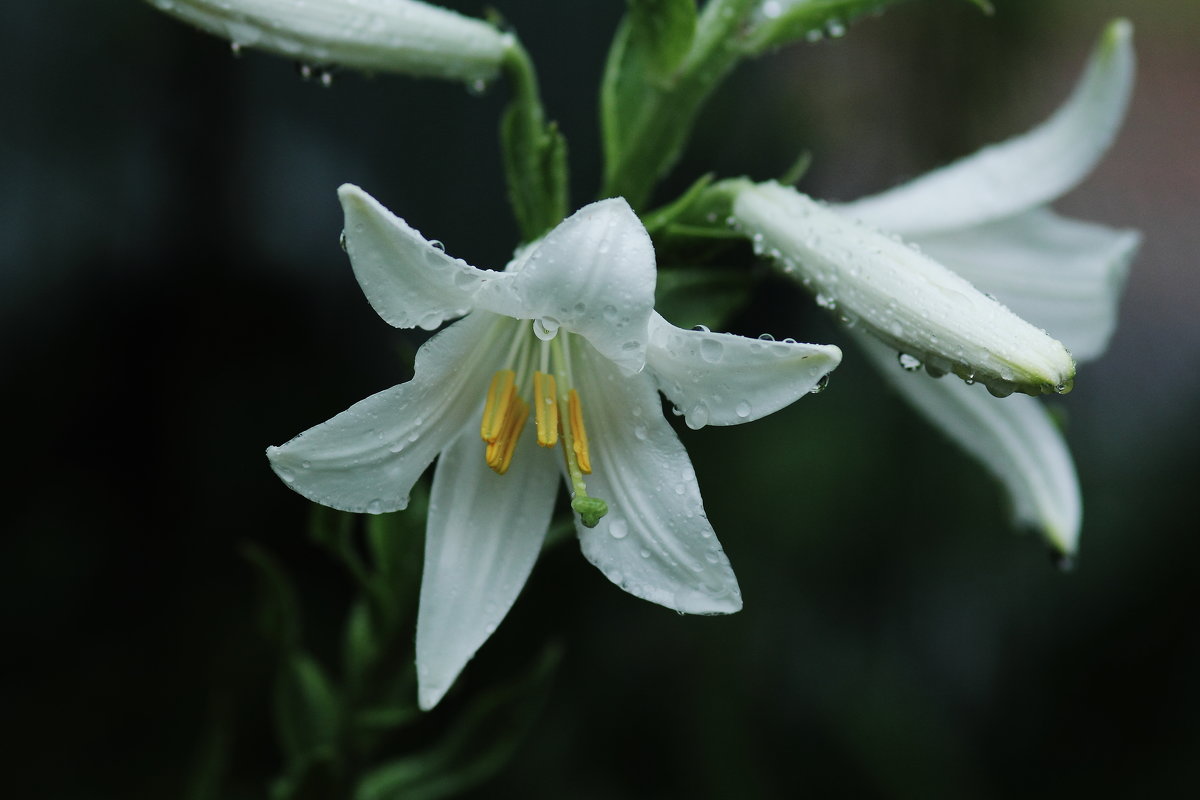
{"x":368,"y":458}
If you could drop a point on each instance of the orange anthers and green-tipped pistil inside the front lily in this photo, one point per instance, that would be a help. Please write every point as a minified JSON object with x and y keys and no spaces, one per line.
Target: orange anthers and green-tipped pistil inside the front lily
{"x":541,"y":368}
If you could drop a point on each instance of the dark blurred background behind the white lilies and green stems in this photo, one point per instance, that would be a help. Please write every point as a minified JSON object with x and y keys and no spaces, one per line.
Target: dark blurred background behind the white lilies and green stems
{"x":173,"y":300}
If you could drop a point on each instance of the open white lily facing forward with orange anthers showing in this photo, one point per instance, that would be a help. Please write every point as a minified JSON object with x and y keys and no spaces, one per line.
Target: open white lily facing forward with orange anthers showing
{"x":568,"y":332}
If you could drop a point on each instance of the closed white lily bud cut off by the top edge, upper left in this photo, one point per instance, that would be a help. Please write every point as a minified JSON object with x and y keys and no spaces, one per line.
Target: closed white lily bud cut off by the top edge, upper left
{"x":387,"y":35}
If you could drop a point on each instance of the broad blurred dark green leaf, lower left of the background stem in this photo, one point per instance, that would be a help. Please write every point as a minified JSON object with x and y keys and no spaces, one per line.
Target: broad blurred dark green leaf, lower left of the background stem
{"x":307,"y":711}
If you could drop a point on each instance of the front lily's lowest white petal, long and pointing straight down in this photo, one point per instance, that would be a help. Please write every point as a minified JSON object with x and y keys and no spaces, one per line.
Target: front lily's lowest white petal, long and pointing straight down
{"x":484,"y":534}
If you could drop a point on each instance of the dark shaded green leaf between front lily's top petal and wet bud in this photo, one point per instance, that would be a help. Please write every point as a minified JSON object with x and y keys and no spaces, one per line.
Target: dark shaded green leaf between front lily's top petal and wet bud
{"x":692,"y":297}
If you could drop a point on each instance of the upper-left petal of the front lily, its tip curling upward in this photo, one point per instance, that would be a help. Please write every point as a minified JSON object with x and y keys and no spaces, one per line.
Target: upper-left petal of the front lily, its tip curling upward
{"x":409,"y":280}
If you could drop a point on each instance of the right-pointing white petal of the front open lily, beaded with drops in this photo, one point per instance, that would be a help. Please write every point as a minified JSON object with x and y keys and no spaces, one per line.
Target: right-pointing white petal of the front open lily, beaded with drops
{"x":725,"y":380}
